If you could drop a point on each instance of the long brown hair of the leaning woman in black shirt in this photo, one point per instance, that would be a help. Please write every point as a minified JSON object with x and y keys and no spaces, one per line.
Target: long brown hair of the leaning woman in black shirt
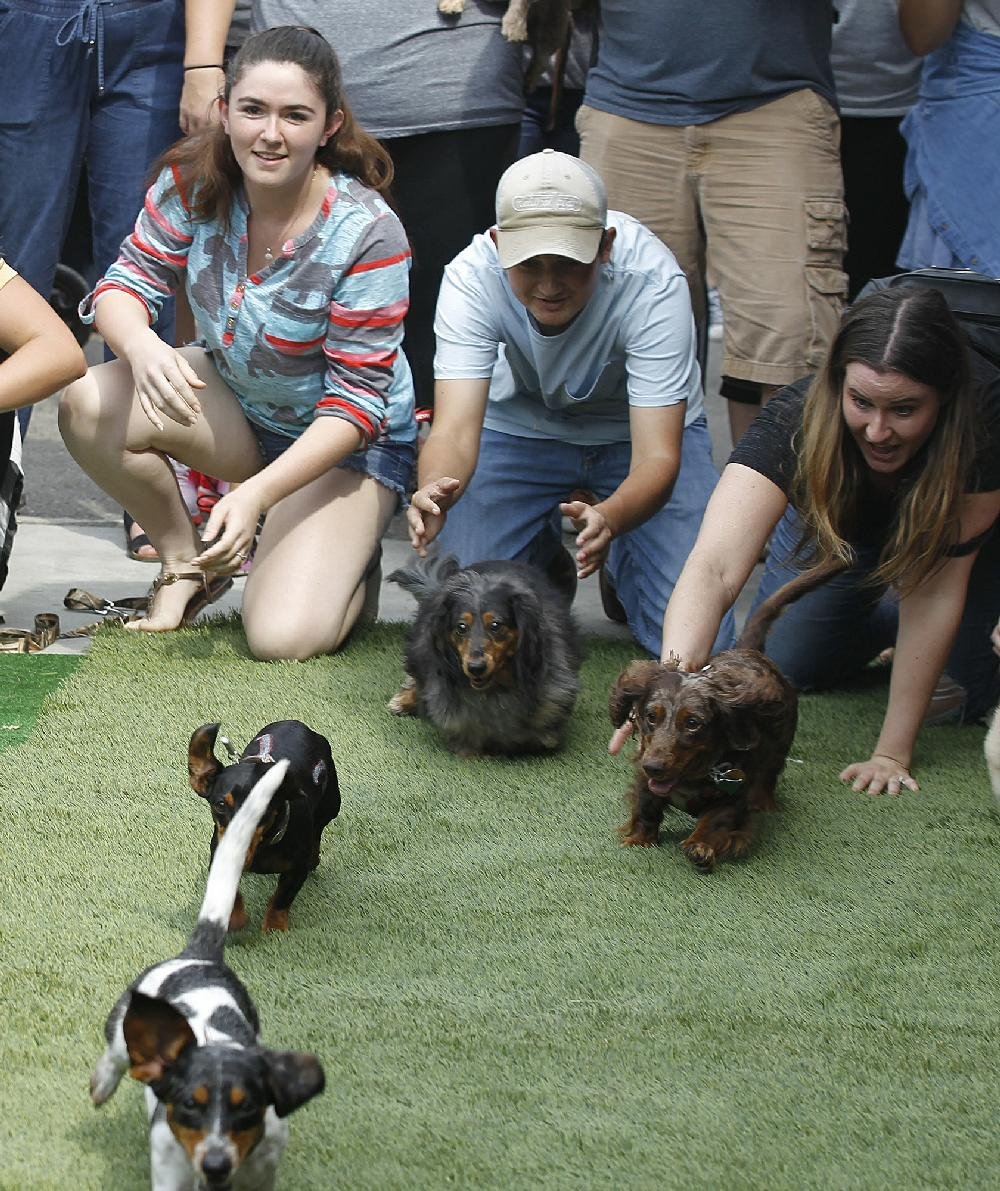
{"x":911,"y":331}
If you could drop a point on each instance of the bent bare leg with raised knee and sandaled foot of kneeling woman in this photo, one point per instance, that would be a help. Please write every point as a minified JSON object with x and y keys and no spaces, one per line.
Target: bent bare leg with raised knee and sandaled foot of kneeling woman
{"x":118,"y":447}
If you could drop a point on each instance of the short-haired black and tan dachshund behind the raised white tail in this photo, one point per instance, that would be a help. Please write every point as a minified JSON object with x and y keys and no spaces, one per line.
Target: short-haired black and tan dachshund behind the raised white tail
{"x":287,"y":841}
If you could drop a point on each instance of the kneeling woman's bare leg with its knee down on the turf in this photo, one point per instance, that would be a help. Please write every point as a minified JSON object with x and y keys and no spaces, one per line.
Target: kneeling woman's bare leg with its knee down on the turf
{"x":307,"y":589}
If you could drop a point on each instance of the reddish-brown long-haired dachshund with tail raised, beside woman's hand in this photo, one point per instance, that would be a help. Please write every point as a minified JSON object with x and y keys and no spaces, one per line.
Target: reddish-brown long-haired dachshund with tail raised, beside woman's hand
{"x":712,"y":744}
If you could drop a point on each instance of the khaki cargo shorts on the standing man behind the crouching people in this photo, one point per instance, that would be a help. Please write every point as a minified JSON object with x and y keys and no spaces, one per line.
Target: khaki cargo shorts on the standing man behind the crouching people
{"x":758,"y":201}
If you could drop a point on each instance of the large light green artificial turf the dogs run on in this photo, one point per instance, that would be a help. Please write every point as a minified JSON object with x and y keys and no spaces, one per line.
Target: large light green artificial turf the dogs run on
{"x":501,"y":995}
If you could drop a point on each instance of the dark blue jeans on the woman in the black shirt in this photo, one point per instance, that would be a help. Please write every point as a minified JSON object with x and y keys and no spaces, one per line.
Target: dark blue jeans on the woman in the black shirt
{"x":832,"y":634}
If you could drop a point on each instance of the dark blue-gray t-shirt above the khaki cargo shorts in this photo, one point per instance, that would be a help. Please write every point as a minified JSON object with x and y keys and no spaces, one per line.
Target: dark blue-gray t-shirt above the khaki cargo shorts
{"x":691,"y":61}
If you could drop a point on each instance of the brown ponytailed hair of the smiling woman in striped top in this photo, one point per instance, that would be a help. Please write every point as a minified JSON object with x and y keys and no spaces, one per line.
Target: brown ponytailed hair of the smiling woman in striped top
{"x":208,"y":171}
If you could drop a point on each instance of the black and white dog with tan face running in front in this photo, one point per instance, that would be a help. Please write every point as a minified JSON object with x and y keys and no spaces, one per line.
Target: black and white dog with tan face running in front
{"x":189,"y":1030}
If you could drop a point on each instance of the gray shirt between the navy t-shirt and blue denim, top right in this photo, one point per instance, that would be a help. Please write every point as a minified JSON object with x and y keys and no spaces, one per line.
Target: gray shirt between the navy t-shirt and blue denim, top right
{"x":877,"y":73}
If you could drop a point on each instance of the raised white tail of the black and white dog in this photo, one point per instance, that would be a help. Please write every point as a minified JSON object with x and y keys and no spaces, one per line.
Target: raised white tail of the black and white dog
{"x":210,"y":934}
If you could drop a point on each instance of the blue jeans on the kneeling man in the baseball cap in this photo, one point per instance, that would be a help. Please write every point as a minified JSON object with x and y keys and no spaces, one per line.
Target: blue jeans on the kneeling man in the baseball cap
{"x":511,"y":512}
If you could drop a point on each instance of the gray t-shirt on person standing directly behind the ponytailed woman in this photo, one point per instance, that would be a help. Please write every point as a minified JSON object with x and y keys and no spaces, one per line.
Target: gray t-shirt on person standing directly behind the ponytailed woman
{"x":410,"y":70}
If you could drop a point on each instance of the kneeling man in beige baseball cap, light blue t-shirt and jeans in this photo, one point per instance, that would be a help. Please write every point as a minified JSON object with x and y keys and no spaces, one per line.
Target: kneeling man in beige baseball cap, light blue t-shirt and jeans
{"x":566,"y":363}
